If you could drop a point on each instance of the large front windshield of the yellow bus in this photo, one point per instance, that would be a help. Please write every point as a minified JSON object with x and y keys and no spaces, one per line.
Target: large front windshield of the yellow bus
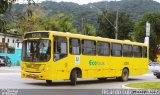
{"x":36,"y":50}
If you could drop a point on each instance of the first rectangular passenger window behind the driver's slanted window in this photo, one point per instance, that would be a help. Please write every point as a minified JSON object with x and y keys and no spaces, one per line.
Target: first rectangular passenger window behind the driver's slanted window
{"x":74,"y":46}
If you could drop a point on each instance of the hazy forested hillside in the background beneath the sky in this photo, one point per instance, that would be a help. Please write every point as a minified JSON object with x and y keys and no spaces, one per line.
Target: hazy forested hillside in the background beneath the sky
{"x":134,"y":8}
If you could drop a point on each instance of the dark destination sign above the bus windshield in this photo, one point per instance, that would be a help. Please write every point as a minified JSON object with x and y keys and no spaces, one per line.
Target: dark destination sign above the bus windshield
{"x":37,"y":35}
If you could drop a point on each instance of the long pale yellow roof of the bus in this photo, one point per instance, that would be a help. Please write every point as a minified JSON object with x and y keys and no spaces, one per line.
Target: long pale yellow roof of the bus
{"x":72,"y":35}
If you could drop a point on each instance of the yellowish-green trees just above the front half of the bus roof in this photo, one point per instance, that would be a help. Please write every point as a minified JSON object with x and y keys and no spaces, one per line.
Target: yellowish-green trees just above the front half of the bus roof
{"x":54,"y":23}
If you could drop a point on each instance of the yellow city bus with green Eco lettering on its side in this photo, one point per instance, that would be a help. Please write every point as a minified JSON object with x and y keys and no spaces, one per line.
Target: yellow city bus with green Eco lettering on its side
{"x":53,"y":55}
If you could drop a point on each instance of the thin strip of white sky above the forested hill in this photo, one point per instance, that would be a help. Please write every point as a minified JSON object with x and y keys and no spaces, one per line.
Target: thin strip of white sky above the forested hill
{"x":75,"y":1}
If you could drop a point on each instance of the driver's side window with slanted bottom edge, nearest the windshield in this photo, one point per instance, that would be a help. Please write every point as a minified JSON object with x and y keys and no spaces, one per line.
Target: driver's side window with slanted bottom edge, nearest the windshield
{"x":60,"y":48}
